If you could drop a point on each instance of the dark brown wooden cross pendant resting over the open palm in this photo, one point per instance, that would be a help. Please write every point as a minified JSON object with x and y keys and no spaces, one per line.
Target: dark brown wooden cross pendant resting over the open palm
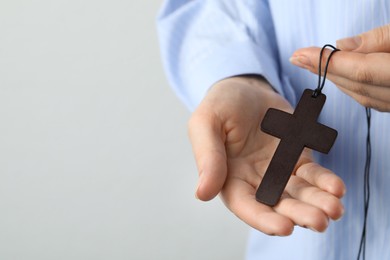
{"x":296,"y":131}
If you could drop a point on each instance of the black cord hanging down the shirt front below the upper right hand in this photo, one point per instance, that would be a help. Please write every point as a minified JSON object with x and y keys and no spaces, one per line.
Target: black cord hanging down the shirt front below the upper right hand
{"x":362,"y":246}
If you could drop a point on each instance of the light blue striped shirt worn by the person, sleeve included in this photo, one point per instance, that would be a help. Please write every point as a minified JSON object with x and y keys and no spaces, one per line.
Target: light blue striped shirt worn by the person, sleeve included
{"x":204,"y":41}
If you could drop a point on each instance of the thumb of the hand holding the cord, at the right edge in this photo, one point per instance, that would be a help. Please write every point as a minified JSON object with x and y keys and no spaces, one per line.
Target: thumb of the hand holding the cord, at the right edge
{"x":376,"y":40}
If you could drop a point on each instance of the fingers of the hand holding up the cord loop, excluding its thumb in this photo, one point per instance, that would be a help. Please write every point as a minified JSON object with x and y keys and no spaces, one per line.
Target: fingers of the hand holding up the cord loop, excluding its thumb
{"x":364,"y":77}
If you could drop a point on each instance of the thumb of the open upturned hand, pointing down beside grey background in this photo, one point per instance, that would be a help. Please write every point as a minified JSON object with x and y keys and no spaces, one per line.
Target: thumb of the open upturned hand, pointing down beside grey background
{"x":207,"y":139}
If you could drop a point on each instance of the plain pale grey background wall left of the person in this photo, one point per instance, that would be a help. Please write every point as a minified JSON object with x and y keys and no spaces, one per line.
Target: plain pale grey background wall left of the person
{"x":94,"y":157}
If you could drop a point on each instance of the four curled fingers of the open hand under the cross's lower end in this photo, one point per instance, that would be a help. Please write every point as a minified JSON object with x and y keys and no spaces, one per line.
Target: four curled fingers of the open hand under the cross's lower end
{"x":302,"y":204}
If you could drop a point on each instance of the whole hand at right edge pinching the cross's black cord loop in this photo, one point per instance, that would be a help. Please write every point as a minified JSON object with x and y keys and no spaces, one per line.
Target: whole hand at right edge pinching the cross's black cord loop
{"x":361,"y":69}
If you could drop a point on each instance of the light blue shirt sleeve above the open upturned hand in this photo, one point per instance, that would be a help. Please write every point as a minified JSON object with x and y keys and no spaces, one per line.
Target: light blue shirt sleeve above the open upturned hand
{"x":205,"y":41}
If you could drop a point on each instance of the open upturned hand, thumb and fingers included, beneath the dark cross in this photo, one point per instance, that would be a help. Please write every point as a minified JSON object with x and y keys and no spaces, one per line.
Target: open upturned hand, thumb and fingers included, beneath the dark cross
{"x":232,"y":154}
